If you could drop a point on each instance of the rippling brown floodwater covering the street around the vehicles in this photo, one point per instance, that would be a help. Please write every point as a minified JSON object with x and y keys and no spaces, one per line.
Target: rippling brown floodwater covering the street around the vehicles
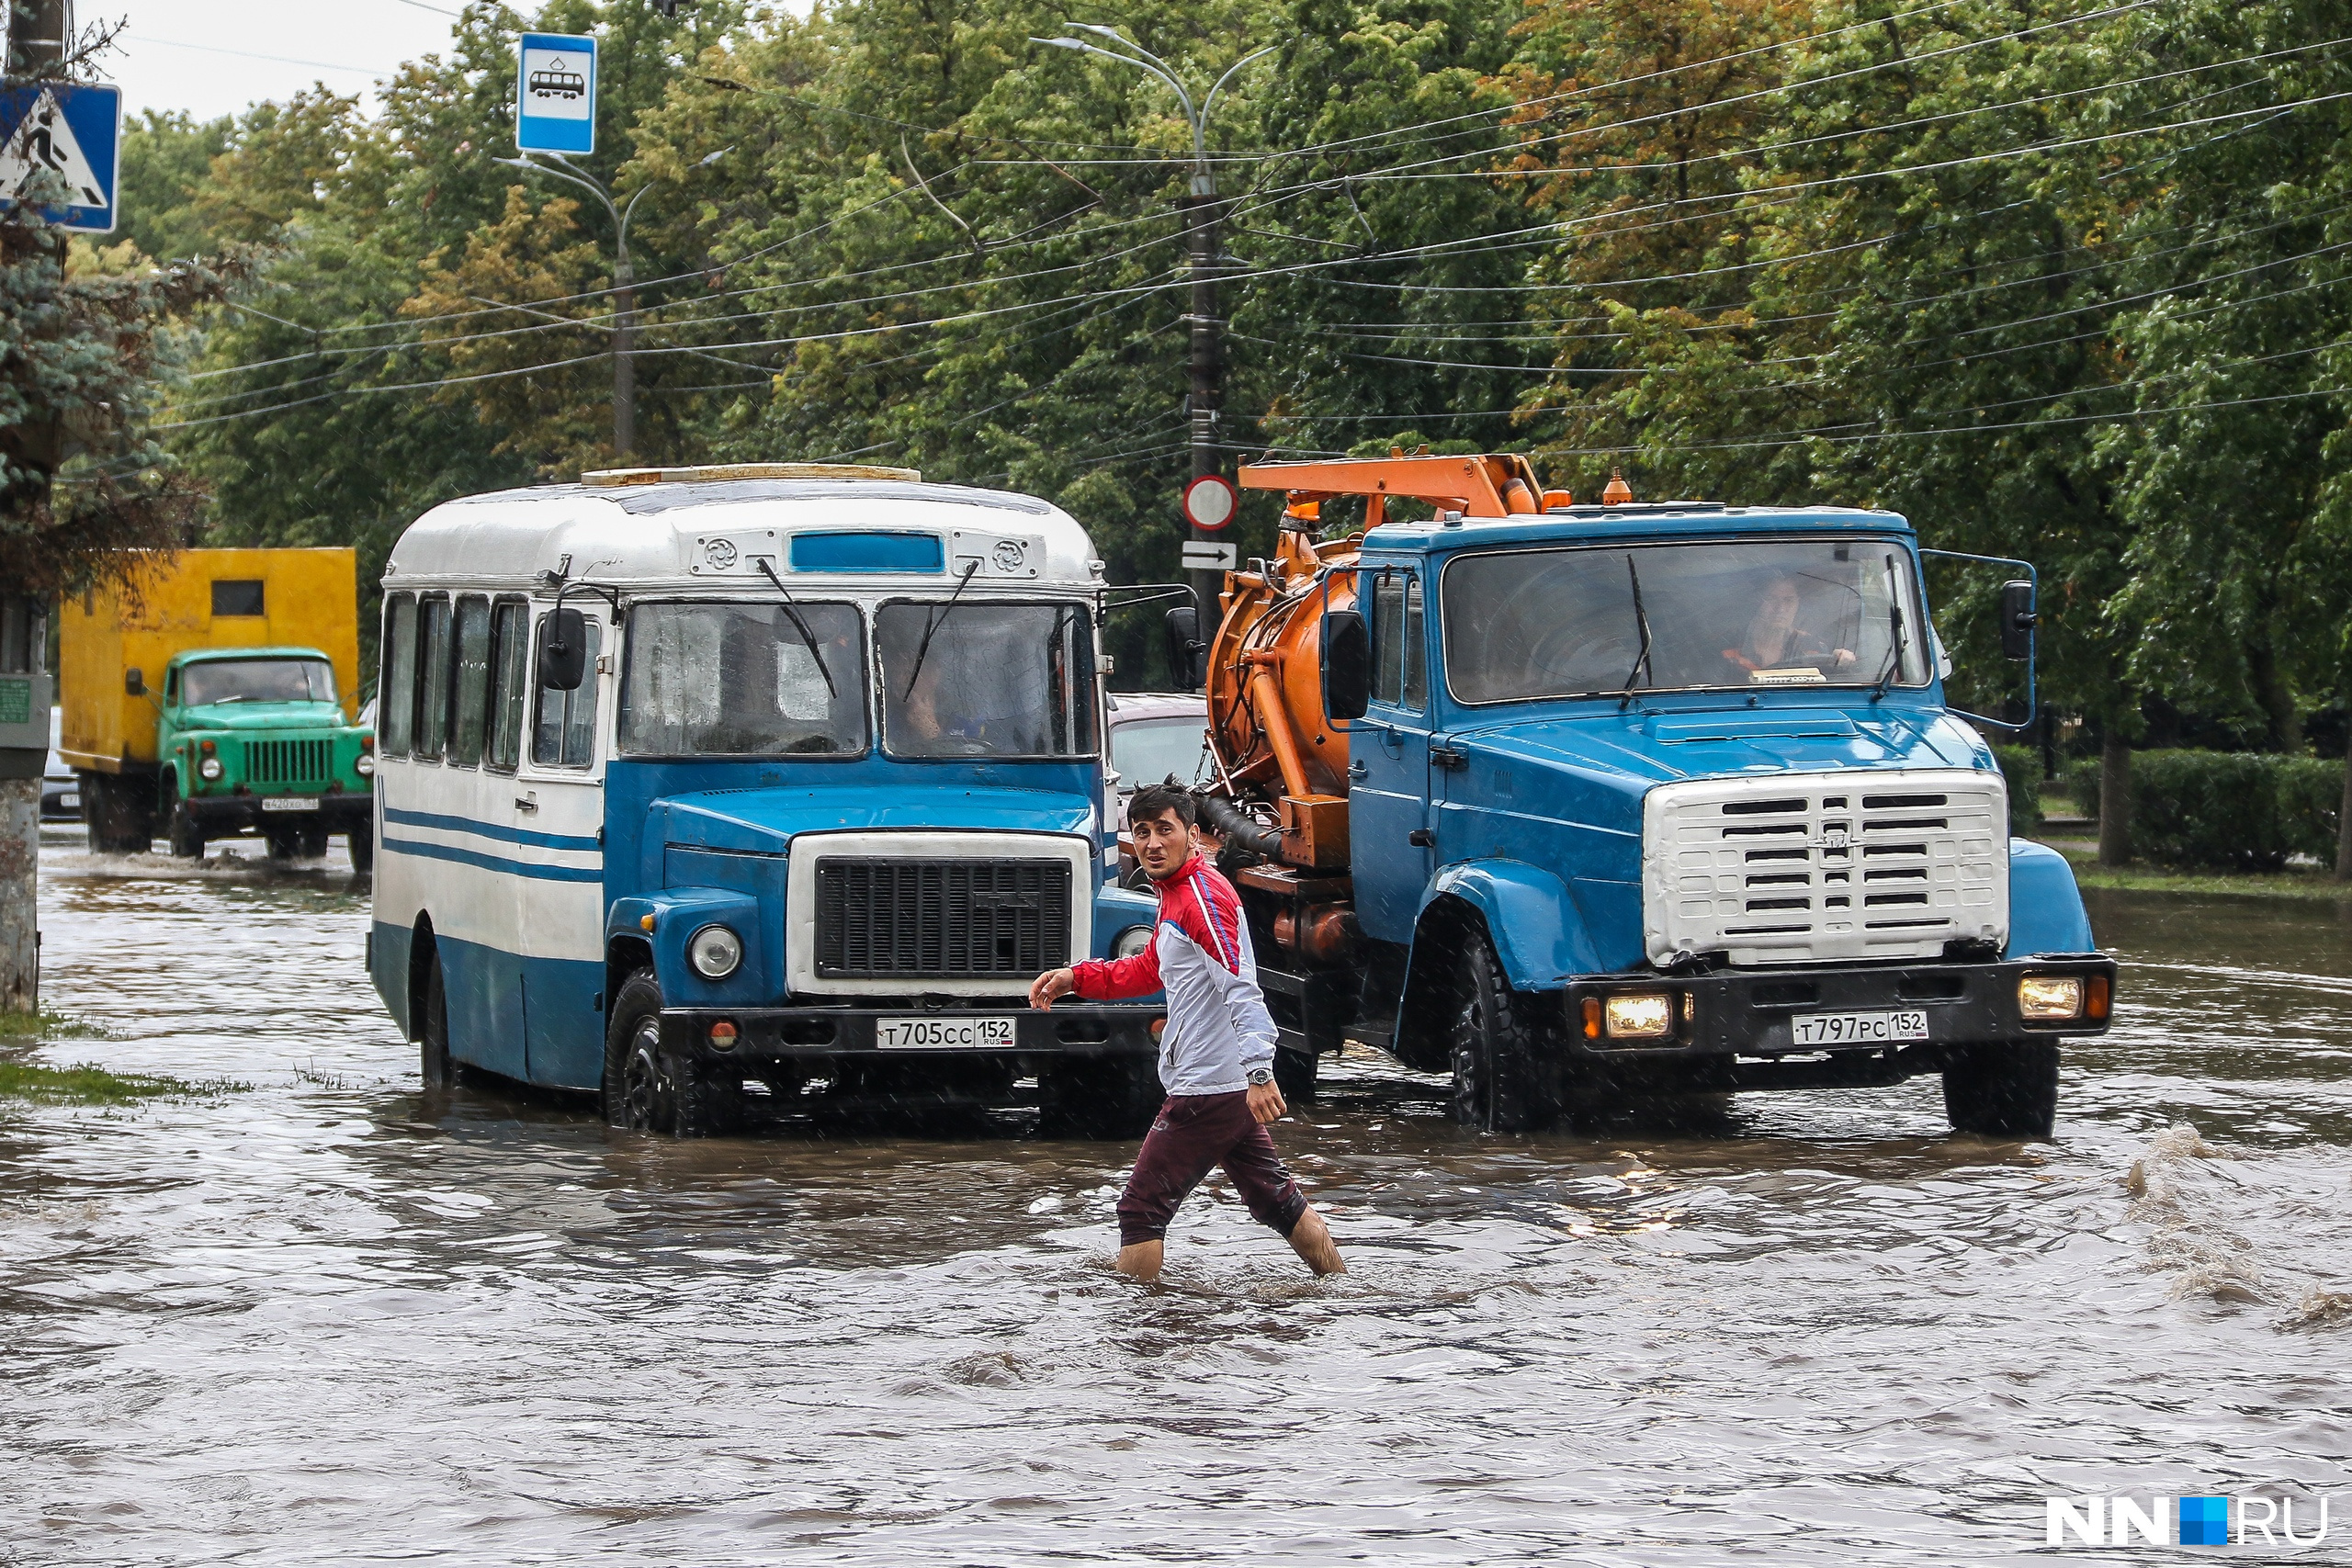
{"x":330,"y":1320}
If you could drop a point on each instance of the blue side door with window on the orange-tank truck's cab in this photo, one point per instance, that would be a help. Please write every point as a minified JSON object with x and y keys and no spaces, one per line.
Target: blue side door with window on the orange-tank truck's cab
{"x":1389,"y":765}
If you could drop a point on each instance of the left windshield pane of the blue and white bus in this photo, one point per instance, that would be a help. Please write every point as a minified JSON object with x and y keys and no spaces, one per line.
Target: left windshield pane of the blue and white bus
{"x":733,"y":681}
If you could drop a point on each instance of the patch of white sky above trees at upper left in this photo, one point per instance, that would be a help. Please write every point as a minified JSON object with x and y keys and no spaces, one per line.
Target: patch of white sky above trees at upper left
{"x":213,"y":58}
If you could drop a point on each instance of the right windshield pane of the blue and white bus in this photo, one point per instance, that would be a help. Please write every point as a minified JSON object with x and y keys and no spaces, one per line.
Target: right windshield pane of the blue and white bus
{"x":996,"y":681}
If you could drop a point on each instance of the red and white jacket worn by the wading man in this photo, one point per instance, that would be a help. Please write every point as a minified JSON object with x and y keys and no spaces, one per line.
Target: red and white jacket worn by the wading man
{"x":1201,"y":958}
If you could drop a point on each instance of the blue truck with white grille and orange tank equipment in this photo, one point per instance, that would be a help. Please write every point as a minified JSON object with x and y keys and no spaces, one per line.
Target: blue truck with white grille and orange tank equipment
{"x":1601,"y":803}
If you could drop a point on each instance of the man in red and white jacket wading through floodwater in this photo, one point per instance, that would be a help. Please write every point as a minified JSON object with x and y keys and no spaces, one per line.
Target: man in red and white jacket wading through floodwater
{"x":1217,"y":1052}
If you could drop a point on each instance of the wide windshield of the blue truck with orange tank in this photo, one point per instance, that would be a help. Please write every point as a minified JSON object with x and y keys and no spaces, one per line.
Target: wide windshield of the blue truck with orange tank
{"x":1605,"y":619}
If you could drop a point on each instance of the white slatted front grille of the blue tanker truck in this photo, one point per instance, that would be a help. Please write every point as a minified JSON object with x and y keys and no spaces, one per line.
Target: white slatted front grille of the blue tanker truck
{"x":1826,"y":866}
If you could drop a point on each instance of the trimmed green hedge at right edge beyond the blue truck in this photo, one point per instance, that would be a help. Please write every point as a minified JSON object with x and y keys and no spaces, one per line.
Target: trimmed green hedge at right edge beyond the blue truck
{"x":2226,"y":810}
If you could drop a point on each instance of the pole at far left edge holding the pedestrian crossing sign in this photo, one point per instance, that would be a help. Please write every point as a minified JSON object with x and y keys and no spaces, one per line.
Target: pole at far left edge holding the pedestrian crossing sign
{"x":39,"y":34}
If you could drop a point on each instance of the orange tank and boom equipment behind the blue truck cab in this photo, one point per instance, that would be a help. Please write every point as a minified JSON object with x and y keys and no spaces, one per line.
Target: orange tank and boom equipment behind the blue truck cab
{"x":1278,"y":753}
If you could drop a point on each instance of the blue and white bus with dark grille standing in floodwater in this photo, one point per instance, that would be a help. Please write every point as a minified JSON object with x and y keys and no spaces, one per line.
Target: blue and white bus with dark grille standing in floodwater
{"x":780,"y":779}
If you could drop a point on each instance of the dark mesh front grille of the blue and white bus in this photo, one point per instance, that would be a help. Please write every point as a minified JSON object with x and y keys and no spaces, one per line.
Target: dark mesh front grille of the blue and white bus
{"x":954,"y":920}
